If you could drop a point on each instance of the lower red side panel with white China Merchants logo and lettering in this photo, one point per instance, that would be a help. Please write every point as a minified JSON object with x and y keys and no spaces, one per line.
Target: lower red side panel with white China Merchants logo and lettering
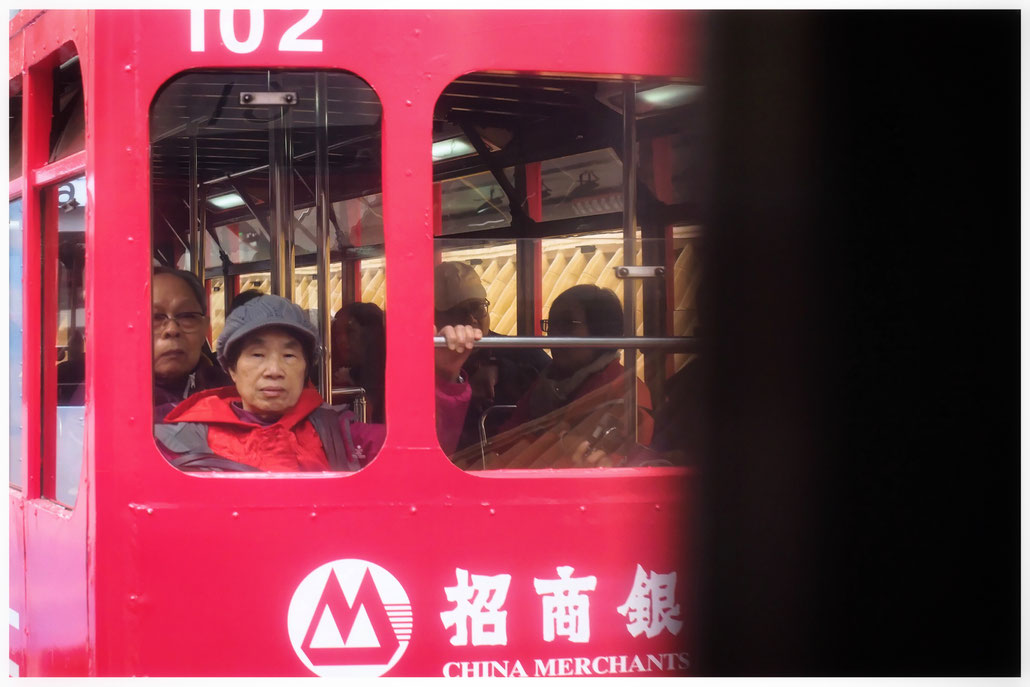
{"x":578,"y":579}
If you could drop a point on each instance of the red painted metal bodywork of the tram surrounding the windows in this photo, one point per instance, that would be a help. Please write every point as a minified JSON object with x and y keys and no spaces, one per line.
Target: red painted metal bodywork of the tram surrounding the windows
{"x":158,"y":572}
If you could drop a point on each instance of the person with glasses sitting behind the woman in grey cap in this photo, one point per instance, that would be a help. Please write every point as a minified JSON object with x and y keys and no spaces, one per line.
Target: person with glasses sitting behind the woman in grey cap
{"x":182,"y":363}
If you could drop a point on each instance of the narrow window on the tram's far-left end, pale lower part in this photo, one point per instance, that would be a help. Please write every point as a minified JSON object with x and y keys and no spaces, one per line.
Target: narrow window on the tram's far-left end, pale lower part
{"x":65,"y":207}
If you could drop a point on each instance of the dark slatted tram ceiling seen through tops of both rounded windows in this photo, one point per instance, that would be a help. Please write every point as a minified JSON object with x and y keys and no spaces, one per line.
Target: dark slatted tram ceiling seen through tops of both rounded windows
{"x":235,"y":136}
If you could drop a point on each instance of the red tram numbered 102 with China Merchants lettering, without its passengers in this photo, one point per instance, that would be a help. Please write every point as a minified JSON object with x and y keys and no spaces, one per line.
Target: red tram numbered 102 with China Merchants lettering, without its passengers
{"x":332,"y":158}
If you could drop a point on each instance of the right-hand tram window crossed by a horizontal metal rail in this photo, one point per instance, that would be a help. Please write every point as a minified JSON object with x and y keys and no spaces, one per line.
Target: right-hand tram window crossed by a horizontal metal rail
{"x":533,"y":213}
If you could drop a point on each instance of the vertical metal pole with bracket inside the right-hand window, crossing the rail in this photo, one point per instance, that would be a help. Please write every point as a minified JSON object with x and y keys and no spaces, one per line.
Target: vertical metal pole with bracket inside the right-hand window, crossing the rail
{"x":630,"y":244}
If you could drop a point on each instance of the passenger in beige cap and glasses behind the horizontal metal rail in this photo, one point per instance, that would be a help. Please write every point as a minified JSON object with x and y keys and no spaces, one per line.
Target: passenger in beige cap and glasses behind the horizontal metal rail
{"x":498,"y":376}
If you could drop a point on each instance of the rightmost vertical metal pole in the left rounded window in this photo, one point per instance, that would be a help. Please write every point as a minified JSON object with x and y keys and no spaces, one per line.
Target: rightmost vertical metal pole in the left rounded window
{"x":322,"y":231}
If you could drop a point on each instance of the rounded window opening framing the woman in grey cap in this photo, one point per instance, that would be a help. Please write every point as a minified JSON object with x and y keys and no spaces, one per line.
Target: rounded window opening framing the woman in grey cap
{"x":268,"y":282}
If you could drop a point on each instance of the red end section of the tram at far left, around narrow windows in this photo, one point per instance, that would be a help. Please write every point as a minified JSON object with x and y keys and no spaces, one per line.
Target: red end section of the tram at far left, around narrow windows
{"x":51,"y":633}
